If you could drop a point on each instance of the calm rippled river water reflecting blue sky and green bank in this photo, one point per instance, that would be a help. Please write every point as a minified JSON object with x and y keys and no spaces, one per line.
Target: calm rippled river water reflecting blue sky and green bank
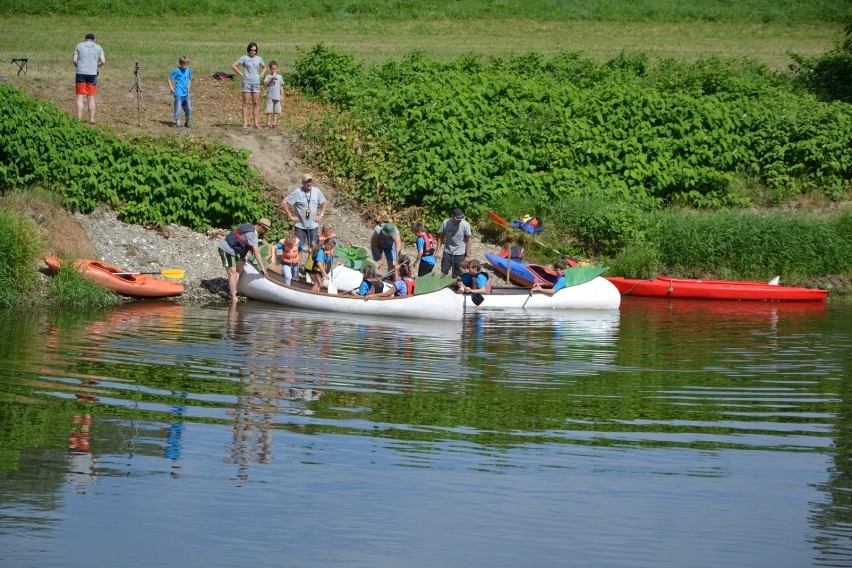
{"x":666,"y":434}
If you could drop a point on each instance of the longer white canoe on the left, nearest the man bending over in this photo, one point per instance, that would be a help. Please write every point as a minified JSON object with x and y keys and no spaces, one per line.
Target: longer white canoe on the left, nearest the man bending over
{"x":443,"y":304}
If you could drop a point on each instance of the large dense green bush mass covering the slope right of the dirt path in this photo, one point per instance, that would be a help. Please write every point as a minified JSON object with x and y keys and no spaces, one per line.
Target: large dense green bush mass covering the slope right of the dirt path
{"x":474,"y":132}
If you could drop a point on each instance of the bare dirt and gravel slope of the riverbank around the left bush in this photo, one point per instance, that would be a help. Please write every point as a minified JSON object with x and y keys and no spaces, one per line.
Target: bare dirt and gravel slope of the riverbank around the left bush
{"x":275,"y":153}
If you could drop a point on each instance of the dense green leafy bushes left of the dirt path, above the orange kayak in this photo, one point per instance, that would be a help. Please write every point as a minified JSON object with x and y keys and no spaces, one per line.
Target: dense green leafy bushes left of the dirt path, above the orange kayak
{"x":199,"y":185}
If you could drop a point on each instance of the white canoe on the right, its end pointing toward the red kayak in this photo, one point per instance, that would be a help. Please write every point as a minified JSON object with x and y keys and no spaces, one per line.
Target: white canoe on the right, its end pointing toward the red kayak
{"x":596,"y":294}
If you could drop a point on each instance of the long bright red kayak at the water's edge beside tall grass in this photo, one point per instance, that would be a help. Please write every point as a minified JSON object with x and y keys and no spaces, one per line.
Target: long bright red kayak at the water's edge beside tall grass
{"x":665,"y":287}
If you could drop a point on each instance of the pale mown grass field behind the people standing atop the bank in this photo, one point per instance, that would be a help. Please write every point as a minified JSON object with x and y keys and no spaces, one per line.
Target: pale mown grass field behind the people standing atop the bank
{"x":213,"y":43}
